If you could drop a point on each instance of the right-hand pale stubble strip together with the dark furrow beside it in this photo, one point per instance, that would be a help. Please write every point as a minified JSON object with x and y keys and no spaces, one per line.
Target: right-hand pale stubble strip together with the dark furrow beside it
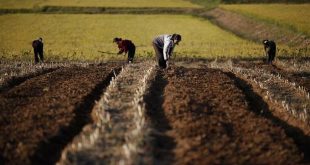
{"x":287,"y":102}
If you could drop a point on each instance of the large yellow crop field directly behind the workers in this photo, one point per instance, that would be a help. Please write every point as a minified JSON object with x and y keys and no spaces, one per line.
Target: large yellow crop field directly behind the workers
{"x":79,"y":37}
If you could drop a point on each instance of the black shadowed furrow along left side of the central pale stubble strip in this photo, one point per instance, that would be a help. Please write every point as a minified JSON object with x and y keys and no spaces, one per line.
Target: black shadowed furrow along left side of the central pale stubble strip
{"x":49,"y":151}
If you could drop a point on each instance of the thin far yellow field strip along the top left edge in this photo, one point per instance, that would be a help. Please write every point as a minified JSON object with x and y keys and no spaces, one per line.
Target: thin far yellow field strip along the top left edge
{"x":96,"y":3}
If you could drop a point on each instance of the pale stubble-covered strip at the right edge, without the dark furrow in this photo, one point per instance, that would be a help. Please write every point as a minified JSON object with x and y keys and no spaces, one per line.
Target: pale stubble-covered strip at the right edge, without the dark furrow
{"x":286,"y":97}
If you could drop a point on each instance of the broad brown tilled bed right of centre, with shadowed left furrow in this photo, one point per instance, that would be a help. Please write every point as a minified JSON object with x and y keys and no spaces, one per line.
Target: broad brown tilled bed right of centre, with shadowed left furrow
{"x":206,"y":119}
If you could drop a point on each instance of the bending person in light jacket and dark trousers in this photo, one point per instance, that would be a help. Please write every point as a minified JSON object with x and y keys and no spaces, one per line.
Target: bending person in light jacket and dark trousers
{"x":163,"y":46}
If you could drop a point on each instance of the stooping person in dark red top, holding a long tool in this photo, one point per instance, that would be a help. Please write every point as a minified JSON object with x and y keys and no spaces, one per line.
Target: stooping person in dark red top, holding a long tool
{"x":126,"y":46}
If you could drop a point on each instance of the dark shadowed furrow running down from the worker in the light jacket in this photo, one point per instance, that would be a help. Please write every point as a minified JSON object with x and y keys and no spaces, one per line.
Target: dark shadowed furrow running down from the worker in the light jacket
{"x":162,"y":144}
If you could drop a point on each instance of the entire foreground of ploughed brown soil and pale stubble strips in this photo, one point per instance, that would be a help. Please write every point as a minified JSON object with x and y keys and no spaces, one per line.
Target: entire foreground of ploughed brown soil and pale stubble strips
{"x":194,"y":112}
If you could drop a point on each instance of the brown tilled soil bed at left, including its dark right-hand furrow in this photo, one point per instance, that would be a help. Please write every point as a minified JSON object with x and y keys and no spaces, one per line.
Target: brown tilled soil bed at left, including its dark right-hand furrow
{"x":41,"y":115}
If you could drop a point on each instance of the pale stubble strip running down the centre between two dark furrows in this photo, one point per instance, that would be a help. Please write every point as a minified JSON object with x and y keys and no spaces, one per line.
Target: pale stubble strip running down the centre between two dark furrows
{"x":120,"y":129}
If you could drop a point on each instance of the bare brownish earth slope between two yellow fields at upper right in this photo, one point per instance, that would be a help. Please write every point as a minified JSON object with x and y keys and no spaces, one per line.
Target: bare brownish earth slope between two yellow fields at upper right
{"x":255,"y":30}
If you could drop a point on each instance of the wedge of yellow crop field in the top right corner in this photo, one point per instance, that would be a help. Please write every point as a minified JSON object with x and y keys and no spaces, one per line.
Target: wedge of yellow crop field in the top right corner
{"x":293,"y":16}
